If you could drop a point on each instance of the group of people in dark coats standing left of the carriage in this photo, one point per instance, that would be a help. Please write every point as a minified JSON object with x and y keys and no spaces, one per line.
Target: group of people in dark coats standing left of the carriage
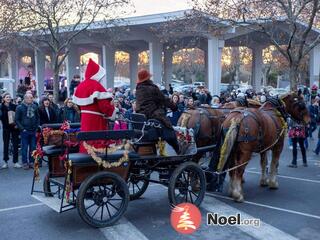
{"x":21,"y":119}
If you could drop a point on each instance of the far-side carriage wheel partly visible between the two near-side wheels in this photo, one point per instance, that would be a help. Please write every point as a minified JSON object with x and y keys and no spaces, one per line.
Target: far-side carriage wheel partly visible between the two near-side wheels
{"x":138,"y":183}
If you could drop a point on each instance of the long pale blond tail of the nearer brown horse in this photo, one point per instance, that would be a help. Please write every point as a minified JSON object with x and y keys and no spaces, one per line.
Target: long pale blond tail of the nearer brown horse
{"x":228,"y":144}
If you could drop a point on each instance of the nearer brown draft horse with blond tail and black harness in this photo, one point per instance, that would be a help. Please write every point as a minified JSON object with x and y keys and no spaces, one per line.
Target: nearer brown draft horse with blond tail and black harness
{"x":258,"y":130}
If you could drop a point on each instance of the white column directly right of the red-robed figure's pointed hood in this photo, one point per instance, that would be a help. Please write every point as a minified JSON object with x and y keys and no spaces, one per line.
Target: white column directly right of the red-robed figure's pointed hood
{"x":108,"y":60}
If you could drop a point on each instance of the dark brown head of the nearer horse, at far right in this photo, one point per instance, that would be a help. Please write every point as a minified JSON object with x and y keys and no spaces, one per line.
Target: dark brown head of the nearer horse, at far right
{"x":295,"y":106}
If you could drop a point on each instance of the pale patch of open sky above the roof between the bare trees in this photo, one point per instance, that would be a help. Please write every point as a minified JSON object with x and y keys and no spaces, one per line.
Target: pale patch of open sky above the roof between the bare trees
{"x":146,"y":7}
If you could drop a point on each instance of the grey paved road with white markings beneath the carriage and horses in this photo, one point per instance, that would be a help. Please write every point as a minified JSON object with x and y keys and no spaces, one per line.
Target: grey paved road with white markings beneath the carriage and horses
{"x":292,"y":212}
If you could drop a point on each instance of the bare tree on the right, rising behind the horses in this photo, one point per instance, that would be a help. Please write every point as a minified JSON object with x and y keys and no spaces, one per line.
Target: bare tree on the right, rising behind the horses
{"x":288,"y":24}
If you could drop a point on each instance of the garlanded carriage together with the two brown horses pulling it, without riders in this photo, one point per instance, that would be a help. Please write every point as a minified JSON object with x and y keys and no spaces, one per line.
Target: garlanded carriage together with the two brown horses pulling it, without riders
{"x":101,"y":183}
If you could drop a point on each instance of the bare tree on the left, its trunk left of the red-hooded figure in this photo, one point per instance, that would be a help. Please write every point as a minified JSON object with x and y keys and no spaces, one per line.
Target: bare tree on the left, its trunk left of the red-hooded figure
{"x":54,"y":24}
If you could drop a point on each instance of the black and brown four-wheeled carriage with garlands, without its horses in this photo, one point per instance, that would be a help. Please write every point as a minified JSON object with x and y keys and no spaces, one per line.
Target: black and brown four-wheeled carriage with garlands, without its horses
{"x":100,"y":184}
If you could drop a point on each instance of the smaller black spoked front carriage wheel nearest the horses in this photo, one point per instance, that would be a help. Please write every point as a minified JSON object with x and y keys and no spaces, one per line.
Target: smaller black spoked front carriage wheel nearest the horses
{"x":187,"y":184}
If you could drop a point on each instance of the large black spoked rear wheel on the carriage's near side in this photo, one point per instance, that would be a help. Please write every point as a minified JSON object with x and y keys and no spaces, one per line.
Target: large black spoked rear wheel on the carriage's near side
{"x":102,"y":199}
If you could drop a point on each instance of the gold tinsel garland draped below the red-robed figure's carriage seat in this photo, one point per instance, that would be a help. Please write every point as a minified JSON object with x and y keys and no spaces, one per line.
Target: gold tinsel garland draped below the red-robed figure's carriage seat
{"x":93,"y":152}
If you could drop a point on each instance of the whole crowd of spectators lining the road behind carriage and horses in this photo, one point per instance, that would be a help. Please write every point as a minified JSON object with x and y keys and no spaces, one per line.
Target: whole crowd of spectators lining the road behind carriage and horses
{"x":22,"y":117}
